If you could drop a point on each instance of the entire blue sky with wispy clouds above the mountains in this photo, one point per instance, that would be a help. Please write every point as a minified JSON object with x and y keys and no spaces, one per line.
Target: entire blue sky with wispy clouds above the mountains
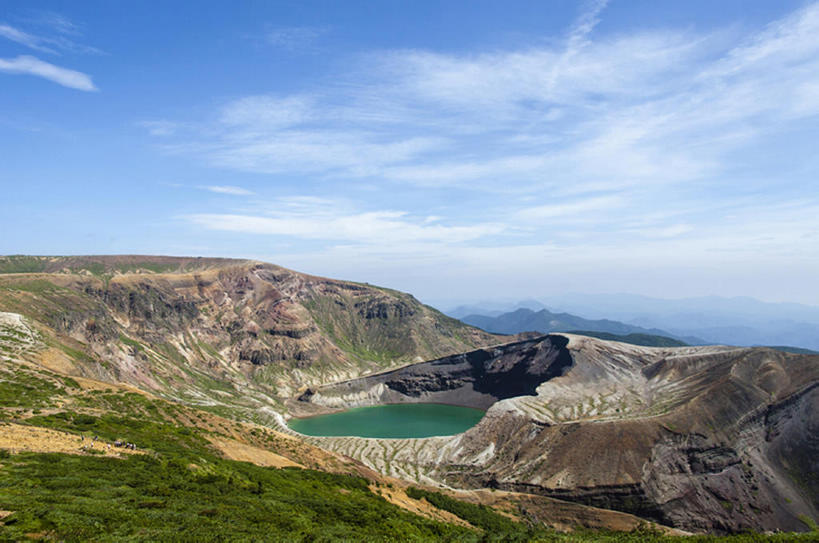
{"x":458,"y":150}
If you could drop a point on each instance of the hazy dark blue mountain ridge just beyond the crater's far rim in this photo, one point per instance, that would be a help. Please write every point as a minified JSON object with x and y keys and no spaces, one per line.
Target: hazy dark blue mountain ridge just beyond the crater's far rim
{"x":526,"y":320}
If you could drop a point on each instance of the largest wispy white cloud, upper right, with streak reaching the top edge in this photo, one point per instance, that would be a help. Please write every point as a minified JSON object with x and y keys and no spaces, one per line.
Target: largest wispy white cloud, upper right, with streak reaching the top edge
{"x":643,"y":108}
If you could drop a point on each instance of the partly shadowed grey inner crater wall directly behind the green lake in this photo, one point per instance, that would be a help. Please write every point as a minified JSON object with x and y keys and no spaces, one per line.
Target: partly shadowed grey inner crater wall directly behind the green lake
{"x":475,"y":379}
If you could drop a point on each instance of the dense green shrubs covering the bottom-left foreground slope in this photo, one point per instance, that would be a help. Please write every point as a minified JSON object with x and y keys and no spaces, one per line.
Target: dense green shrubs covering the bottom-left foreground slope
{"x":181,"y":490}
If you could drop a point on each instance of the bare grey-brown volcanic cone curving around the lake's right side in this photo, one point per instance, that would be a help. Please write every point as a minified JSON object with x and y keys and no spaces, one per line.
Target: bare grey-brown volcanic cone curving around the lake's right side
{"x":703,"y":438}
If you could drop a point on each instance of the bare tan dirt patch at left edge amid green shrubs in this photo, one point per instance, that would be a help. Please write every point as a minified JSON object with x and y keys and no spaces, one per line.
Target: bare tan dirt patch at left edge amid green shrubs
{"x":18,"y":438}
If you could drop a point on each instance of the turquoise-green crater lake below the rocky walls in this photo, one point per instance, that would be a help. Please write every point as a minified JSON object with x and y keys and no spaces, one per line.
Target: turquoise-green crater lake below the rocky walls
{"x":391,"y":421}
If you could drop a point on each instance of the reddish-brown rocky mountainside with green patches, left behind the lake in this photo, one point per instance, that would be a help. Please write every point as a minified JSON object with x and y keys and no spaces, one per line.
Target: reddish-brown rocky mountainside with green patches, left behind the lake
{"x":219,"y":330}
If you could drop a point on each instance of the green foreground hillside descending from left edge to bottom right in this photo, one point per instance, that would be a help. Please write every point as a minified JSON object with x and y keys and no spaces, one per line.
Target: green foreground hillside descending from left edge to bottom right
{"x":179,"y":488}
